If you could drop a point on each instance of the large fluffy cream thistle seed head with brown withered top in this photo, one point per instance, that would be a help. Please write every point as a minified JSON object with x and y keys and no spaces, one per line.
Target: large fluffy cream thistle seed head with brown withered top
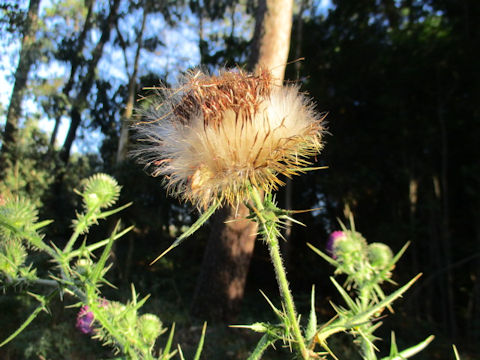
{"x":213,"y":135}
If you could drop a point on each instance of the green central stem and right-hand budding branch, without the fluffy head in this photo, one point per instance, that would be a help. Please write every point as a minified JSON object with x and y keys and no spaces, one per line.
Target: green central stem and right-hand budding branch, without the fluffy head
{"x":366,"y":267}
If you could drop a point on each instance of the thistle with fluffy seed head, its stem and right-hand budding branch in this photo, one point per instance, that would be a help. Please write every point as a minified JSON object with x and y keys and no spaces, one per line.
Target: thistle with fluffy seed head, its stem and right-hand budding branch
{"x":225,"y":140}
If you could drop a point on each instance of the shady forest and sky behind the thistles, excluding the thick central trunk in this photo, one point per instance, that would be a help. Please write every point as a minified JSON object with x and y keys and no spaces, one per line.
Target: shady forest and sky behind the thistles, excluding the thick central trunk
{"x":401,"y":85}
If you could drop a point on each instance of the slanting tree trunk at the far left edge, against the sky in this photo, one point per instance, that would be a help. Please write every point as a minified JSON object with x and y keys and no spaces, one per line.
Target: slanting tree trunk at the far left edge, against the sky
{"x":26,"y":60}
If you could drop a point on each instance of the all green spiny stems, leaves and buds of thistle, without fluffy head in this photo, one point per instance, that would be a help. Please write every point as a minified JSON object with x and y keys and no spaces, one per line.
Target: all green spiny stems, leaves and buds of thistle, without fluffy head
{"x":130,"y":334}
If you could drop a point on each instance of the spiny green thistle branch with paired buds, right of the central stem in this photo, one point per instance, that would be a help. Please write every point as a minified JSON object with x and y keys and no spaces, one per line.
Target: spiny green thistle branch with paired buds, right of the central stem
{"x":366,"y":267}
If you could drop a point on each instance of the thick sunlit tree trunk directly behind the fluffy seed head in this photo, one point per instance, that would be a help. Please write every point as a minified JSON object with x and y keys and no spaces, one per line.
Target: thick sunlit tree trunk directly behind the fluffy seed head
{"x":220,"y":286}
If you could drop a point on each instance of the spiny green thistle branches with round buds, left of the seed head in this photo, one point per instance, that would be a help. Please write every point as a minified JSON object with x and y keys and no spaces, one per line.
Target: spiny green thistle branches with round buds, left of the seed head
{"x":78,"y":274}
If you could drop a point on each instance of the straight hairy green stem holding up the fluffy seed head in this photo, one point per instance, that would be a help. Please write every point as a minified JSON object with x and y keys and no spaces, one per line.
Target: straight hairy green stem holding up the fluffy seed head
{"x":271,"y":238}
